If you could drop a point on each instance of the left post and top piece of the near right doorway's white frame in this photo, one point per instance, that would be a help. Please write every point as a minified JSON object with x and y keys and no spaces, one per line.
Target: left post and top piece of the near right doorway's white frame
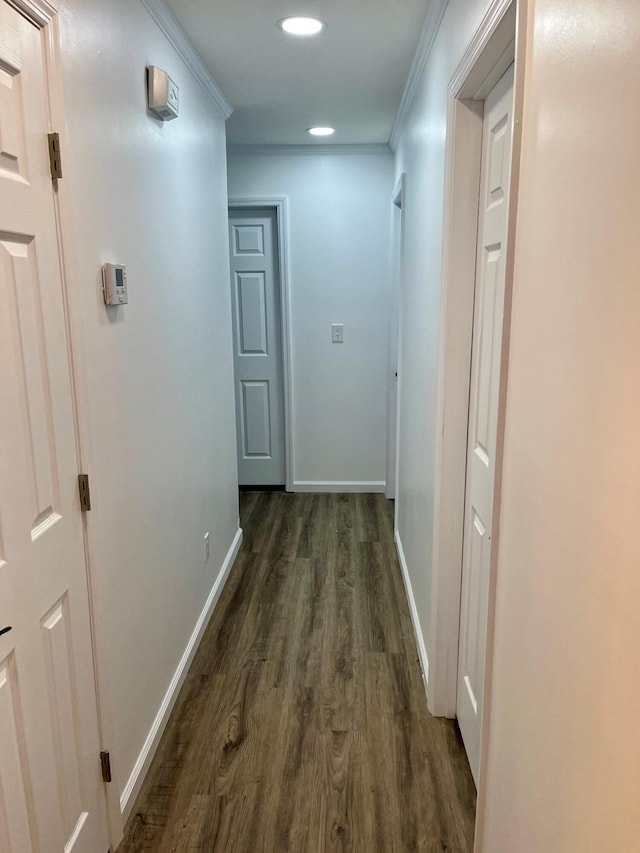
{"x":486,"y":53}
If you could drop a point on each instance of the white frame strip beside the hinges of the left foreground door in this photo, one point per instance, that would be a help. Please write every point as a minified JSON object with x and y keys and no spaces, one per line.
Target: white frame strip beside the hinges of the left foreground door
{"x":44,"y":15}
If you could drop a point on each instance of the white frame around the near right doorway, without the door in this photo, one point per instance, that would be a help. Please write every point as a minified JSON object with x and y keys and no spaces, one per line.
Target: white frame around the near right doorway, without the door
{"x":495,"y":45}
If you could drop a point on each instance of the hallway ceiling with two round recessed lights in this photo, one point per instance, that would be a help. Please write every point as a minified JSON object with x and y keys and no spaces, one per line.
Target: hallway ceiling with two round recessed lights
{"x":351,"y":76}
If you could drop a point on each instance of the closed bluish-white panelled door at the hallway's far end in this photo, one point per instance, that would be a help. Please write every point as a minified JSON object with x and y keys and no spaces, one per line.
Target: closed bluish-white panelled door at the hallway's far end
{"x":257,"y":343}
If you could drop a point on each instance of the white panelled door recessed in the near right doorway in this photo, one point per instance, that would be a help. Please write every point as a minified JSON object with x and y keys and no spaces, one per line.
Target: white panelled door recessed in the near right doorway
{"x":483,"y":410}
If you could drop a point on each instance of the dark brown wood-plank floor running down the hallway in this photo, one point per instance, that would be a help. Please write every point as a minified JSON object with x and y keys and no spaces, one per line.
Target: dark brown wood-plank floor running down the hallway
{"x":303,"y":723}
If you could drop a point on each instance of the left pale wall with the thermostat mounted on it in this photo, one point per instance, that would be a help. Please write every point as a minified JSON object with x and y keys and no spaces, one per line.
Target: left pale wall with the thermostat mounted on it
{"x":159,"y":371}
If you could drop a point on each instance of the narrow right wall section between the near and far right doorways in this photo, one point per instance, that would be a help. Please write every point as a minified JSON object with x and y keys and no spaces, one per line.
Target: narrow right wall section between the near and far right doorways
{"x":420,"y":154}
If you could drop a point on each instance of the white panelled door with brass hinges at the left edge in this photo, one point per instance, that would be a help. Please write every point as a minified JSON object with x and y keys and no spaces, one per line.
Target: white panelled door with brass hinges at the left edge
{"x":51,"y":793}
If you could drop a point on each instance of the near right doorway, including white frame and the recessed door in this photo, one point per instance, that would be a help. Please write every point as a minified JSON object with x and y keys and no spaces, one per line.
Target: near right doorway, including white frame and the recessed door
{"x":461,"y":632}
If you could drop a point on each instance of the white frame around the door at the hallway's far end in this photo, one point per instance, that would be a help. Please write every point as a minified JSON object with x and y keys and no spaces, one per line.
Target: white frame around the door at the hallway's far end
{"x":280,"y":204}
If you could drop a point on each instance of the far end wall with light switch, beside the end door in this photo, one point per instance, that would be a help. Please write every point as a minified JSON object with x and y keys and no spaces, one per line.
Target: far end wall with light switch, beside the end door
{"x":340,"y":272}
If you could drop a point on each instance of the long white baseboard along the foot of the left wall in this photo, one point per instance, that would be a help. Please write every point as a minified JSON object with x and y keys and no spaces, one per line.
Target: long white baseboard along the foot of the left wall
{"x":132,"y":788}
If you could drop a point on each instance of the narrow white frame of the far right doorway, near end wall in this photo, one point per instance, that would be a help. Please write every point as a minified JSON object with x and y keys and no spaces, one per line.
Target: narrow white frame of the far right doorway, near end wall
{"x":393,"y":420}
